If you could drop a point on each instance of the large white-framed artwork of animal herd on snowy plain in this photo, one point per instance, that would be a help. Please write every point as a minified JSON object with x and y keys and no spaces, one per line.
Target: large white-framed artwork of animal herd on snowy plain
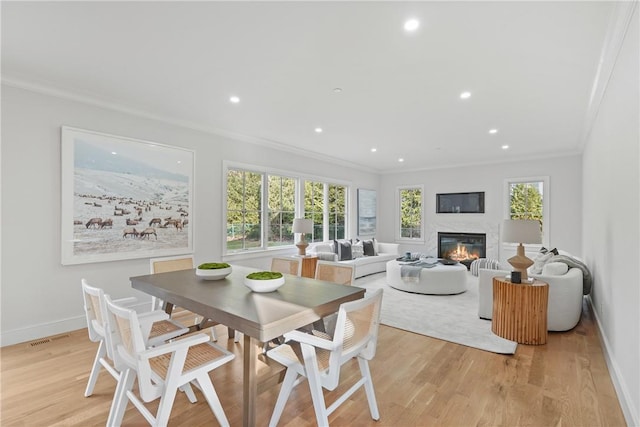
{"x":124,"y":198}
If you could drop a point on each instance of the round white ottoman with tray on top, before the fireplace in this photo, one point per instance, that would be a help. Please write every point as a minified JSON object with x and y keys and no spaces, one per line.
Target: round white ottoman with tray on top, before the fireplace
{"x":440,"y":280}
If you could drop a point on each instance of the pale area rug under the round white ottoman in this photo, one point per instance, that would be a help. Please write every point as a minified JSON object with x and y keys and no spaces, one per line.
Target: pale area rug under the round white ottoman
{"x":451,"y":318}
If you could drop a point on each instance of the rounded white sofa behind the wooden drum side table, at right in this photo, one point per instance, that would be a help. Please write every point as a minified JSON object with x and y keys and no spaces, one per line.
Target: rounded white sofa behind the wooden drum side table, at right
{"x":565,"y":297}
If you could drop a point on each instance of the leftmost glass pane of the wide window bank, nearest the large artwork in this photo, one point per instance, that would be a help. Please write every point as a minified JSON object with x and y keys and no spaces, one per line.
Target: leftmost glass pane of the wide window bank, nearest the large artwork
{"x":244,"y":210}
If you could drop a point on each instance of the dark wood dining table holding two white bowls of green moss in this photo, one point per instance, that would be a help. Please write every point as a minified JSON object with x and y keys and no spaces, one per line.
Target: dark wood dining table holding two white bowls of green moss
{"x":261,"y":317}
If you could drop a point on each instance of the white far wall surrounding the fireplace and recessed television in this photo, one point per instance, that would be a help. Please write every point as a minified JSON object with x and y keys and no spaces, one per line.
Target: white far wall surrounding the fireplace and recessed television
{"x":565,"y":199}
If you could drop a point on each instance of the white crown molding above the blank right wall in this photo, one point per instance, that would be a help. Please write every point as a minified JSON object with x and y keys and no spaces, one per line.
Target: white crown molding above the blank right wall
{"x":619,"y":22}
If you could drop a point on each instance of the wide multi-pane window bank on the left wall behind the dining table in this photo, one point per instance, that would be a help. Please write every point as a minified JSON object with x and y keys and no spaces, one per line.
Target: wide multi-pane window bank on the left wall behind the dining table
{"x":253,"y":196}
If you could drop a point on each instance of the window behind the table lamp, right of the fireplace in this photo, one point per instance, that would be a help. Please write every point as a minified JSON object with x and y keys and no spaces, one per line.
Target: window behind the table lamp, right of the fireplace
{"x":527,"y":198}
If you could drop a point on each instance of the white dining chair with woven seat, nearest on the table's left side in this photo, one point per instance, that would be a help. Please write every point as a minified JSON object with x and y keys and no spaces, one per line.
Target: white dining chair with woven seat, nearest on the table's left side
{"x":160,"y":371}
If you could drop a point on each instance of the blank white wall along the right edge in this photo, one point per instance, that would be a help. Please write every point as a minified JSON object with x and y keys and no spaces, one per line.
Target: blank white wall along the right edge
{"x":611,"y":228}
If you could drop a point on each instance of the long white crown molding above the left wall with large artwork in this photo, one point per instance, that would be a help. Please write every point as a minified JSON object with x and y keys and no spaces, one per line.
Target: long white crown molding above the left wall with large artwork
{"x":121,"y":108}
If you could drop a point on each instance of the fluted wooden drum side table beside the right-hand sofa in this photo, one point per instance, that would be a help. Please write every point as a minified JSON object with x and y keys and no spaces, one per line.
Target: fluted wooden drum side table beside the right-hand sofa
{"x":520,"y":311}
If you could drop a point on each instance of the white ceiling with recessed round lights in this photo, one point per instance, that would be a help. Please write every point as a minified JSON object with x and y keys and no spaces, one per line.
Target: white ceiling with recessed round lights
{"x":530,"y":67}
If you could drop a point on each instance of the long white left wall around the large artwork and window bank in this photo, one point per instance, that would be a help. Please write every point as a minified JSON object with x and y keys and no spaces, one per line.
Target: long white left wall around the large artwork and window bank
{"x":39,"y":296}
